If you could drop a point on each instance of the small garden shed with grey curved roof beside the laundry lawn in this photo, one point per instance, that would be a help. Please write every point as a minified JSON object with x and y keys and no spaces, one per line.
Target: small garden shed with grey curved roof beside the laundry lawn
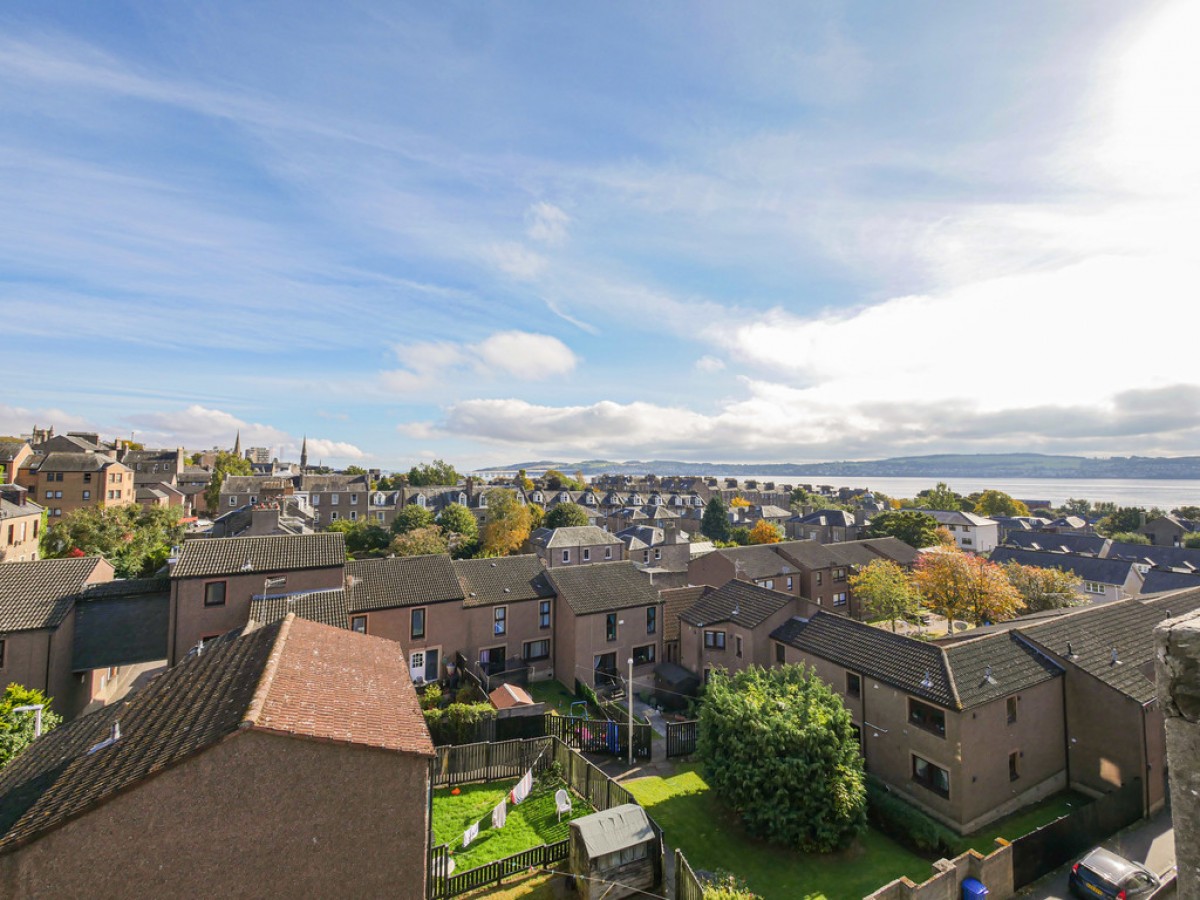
{"x":616,"y":854}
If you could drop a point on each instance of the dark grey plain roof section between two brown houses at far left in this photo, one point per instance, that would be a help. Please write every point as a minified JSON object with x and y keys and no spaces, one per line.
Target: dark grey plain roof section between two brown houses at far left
{"x":122,"y":623}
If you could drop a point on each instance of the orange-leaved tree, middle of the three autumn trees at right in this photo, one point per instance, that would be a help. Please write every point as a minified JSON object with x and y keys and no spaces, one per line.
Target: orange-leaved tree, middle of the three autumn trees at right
{"x":964,"y":586}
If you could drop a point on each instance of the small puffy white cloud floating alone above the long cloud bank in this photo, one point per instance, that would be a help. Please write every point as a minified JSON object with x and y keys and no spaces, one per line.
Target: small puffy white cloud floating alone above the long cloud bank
{"x":523,"y":356}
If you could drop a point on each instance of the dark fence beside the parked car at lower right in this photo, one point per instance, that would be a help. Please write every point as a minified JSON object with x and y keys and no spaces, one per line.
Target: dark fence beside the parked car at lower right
{"x":1051,"y":847}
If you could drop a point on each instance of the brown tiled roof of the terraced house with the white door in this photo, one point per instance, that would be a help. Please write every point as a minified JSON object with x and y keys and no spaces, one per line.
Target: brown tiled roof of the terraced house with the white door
{"x":401,"y":581}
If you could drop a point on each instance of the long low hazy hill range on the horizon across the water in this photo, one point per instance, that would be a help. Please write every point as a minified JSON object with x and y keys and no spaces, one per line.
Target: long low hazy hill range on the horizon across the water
{"x":937,"y":466}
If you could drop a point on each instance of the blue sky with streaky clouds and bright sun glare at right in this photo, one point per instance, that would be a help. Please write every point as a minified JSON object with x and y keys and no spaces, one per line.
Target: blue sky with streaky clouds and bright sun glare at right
{"x":627,"y":231}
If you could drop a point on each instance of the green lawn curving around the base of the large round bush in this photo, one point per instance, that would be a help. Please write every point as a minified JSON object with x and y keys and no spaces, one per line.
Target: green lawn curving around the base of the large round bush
{"x":710,"y":836}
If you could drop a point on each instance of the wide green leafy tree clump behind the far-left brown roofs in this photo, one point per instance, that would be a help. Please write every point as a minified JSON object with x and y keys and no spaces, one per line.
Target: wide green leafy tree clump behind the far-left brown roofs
{"x":137,"y":542}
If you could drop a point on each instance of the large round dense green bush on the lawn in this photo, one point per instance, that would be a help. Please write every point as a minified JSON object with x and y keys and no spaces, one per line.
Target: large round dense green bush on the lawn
{"x":779,"y":749}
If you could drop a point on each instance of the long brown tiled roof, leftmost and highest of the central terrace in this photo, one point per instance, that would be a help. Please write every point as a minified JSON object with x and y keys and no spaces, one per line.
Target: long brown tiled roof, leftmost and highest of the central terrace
{"x":269,"y":554}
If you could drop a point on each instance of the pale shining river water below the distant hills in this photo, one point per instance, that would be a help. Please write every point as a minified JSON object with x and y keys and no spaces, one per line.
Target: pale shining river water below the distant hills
{"x":1165,"y":494}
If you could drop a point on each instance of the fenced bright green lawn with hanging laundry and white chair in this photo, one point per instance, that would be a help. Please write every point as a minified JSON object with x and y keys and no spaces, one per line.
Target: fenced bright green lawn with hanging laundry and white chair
{"x":531,"y":825}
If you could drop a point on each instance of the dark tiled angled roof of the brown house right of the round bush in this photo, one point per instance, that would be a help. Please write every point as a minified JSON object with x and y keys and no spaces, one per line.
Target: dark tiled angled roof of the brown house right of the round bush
{"x":956,"y":677}
